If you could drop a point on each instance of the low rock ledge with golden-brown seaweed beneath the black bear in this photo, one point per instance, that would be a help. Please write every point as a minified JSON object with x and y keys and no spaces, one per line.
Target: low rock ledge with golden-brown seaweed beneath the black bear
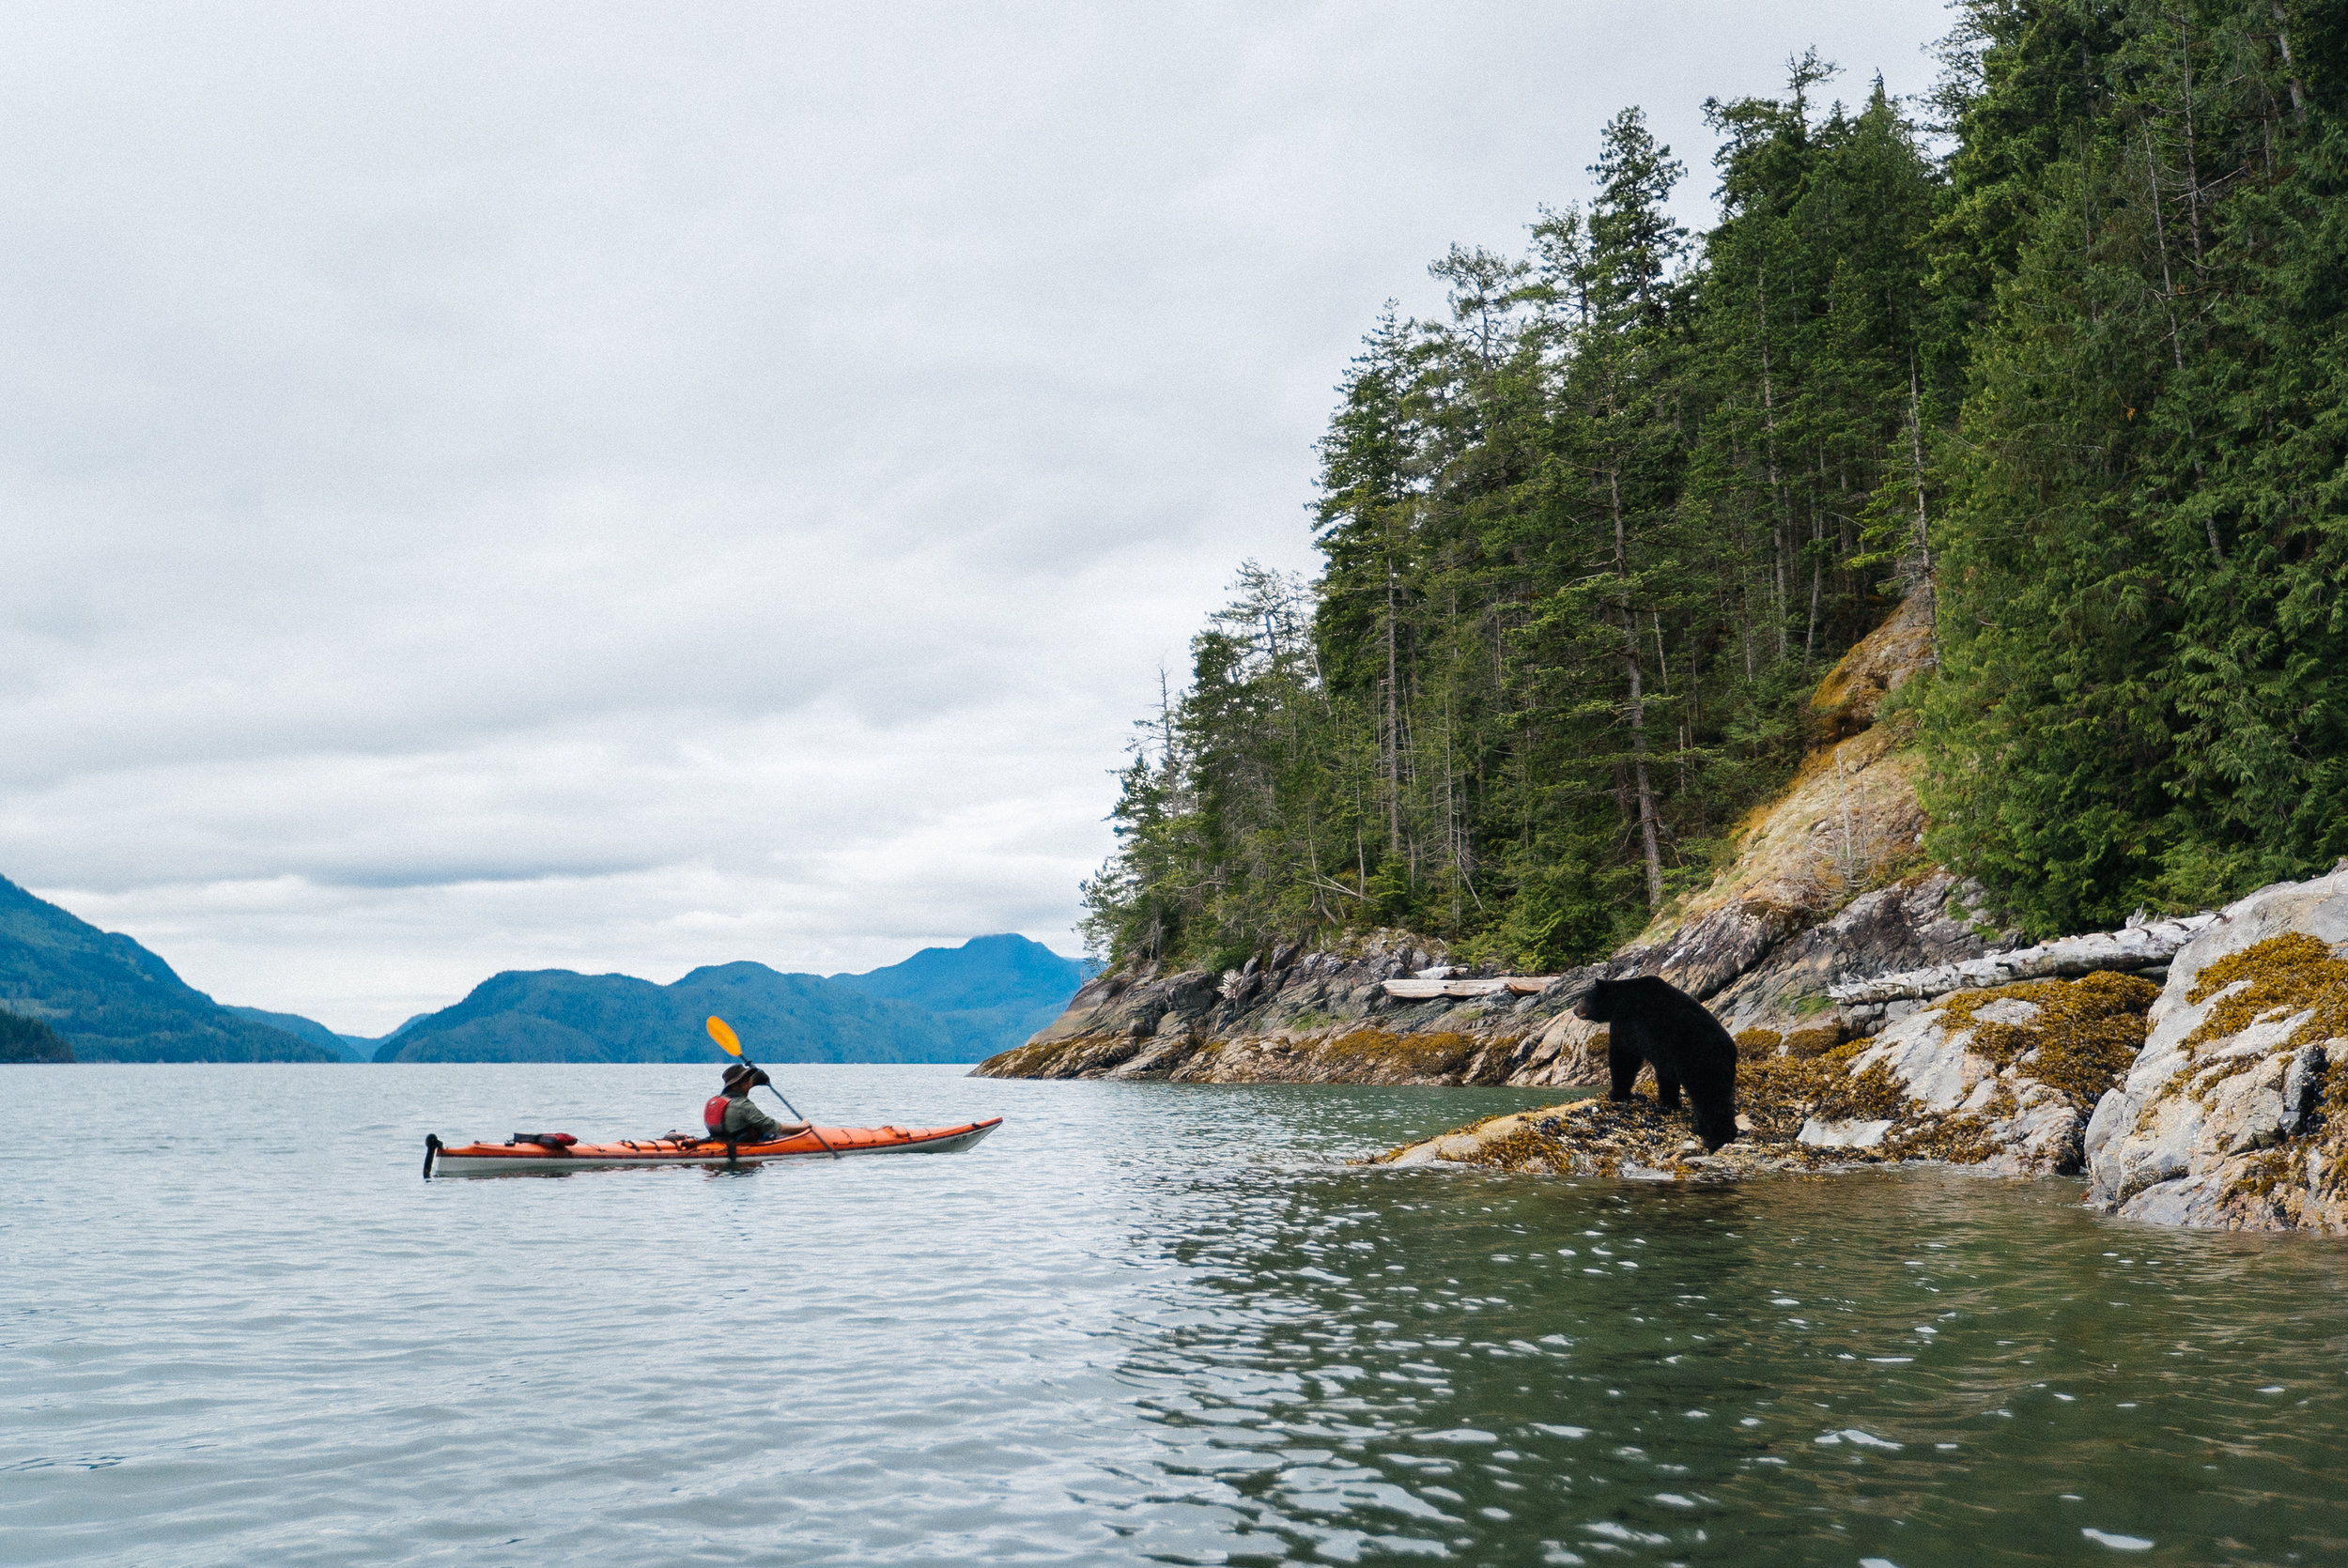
{"x":1990,"y":1079}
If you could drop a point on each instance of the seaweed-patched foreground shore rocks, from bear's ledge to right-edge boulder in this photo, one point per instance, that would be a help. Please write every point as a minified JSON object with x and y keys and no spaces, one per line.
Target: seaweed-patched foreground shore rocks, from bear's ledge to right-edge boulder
{"x":2215,"y":1100}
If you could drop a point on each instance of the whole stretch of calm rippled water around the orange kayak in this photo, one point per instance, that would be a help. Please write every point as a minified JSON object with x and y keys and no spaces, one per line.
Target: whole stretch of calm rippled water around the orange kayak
{"x":1140,"y":1325}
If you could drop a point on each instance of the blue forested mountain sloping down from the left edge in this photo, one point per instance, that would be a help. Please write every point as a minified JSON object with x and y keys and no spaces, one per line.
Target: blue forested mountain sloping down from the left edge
{"x":114,"y":1001}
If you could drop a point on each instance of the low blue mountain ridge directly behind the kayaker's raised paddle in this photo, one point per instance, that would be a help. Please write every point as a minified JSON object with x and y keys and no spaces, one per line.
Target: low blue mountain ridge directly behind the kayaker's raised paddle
{"x":555,"y":1015}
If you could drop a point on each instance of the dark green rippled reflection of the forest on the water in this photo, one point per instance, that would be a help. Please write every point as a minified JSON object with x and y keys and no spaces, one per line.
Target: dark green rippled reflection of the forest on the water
{"x":1927,"y":1370}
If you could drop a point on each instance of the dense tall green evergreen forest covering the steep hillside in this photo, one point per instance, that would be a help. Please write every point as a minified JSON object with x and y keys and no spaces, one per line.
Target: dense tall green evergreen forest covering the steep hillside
{"x":2060,"y":346}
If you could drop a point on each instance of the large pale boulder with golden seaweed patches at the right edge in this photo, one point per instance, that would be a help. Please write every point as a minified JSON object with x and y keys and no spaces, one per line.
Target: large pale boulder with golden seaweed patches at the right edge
{"x":2236,"y":1111}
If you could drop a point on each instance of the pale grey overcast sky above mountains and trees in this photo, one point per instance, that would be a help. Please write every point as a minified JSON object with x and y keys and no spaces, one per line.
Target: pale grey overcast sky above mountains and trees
{"x":640,"y":487}
